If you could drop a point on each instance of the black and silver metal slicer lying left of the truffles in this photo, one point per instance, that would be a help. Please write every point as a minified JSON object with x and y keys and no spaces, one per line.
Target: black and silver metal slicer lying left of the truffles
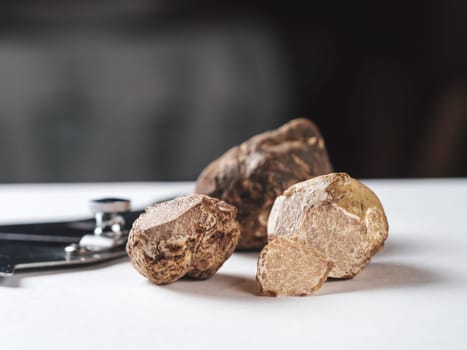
{"x":69,"y":243}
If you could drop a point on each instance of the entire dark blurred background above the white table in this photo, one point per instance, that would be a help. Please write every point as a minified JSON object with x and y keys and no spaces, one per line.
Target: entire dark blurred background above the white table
{"x":116,"y":90}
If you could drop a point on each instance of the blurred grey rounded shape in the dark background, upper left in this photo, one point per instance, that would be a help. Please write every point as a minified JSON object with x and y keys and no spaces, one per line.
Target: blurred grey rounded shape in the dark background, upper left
{"x":100,"y":105}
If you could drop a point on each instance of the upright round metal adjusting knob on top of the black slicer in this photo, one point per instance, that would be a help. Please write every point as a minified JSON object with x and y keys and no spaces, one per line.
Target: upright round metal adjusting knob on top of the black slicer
{"x":108,"y":220}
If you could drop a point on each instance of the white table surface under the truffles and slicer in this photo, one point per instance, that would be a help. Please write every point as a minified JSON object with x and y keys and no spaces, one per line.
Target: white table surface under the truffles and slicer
{"x":413,"y":295}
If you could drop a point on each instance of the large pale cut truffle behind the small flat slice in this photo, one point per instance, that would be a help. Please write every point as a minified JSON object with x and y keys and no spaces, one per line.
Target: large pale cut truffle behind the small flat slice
{"x":336,"y":215}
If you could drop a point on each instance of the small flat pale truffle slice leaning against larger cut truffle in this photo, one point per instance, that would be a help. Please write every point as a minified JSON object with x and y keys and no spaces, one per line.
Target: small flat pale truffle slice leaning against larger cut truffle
{"x":286,"y":267}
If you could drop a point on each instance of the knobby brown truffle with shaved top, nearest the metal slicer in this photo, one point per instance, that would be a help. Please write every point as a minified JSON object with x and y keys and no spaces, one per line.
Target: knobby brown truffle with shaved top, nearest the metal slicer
{"x":191,"y":236}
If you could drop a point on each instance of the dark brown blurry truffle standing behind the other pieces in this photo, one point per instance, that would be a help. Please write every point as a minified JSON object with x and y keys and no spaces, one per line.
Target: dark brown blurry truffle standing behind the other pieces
{"x":251,"y":175}
